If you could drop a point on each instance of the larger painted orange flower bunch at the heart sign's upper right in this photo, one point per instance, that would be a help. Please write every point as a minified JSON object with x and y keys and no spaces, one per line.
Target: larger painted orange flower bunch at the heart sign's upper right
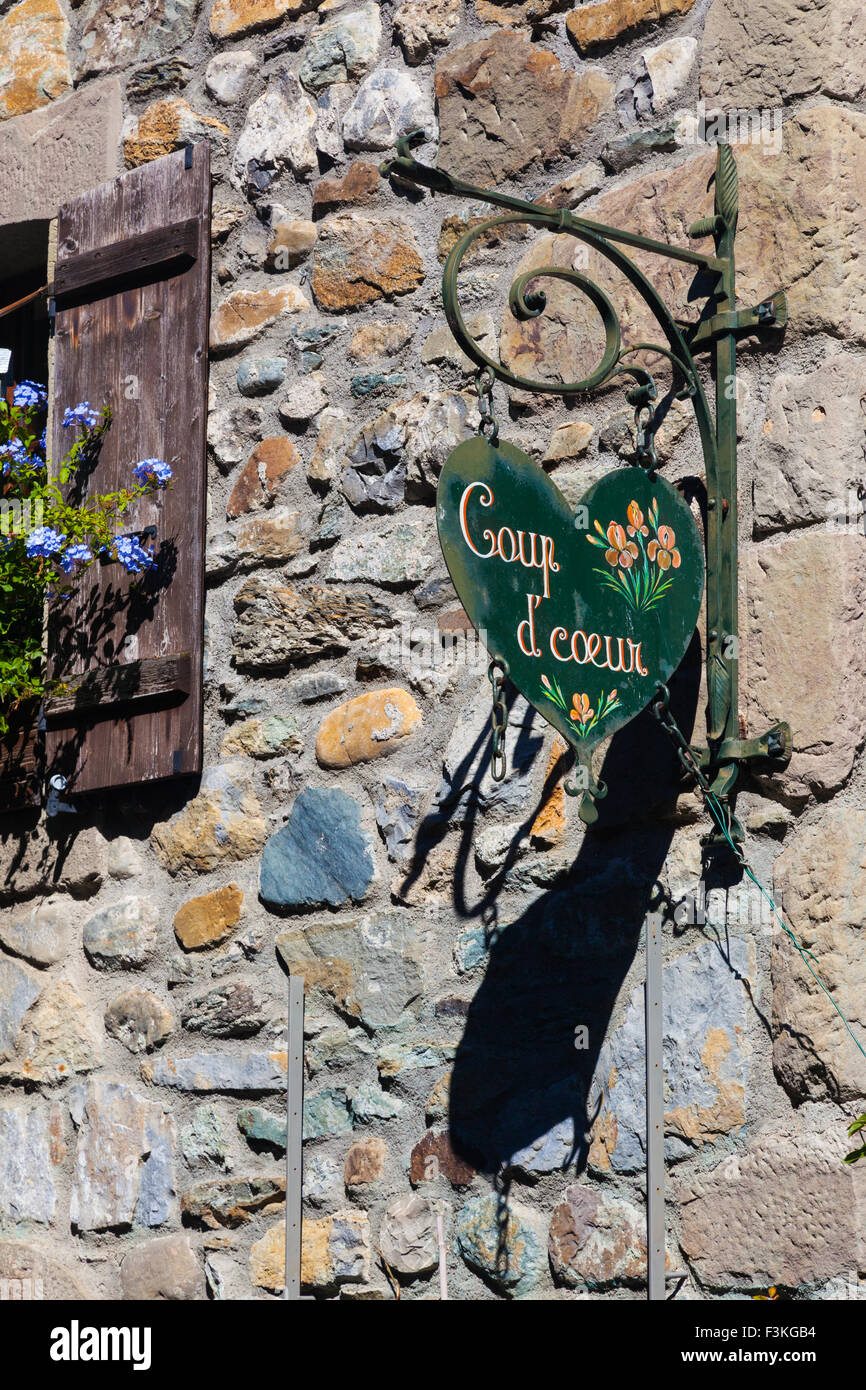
{"x":642,"y":571}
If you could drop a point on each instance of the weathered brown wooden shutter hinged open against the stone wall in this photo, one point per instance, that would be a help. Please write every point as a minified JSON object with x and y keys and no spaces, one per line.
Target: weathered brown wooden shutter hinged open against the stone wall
{"x":133,"y":297}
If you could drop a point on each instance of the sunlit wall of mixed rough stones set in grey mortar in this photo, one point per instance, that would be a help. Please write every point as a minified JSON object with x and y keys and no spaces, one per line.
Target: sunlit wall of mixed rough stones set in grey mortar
{"x":472,"y":958}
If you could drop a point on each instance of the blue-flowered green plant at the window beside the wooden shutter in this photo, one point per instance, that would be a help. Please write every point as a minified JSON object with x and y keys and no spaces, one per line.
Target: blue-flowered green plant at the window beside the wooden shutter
{"x":49,"y":536}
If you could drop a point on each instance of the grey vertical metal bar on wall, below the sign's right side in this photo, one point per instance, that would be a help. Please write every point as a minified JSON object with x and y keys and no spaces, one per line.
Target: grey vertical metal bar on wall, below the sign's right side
{"x":655,"y":1113}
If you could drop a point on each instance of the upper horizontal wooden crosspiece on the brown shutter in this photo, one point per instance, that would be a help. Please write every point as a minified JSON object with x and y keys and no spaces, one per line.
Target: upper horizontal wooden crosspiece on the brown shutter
{"x":168,"y":248}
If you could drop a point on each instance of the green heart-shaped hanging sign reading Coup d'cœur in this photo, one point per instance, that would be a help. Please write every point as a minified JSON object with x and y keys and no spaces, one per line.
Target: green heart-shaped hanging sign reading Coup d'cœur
{"x":590,"y":607}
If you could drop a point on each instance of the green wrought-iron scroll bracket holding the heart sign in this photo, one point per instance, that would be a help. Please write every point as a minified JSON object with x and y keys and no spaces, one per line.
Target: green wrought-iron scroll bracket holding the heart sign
{"x":717,"y":330}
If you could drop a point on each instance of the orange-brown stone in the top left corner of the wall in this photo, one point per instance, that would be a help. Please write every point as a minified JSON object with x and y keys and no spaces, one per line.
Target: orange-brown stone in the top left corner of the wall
{"x":34,"y":65}
